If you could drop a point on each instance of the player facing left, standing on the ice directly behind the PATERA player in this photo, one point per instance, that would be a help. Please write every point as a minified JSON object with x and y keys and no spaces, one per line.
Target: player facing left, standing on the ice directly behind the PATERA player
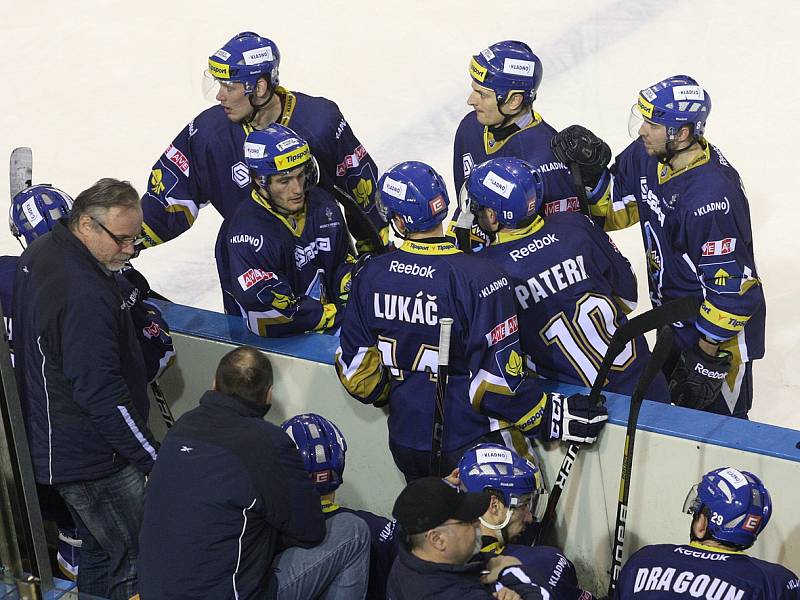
{"x":505,"y":78}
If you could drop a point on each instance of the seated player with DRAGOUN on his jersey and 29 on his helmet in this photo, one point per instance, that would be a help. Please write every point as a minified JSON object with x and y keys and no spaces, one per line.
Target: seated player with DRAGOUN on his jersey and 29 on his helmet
{"x":729,"y":509}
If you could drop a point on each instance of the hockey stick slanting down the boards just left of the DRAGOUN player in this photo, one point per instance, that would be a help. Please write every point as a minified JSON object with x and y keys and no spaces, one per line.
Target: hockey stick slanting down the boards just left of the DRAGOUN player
{"x":657,"y":359}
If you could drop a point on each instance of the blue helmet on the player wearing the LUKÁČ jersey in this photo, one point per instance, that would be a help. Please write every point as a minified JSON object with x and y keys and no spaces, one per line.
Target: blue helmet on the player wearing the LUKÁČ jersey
{"x":415,"y":192}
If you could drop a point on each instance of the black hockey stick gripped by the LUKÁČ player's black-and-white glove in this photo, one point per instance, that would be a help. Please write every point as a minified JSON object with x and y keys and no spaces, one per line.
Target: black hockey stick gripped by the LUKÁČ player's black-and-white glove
{"x":683,"y":309}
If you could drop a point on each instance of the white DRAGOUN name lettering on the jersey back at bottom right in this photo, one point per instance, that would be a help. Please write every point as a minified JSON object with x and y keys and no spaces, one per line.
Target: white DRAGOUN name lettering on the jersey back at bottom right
{"x":685,"y":583}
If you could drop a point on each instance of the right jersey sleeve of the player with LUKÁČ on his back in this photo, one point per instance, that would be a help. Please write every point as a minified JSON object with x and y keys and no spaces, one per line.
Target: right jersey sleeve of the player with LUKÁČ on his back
{"x":500,"y":386}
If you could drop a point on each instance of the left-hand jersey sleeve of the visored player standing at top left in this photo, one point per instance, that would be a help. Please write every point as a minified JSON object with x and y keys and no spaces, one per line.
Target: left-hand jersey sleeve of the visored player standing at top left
{"x":174,"y":190}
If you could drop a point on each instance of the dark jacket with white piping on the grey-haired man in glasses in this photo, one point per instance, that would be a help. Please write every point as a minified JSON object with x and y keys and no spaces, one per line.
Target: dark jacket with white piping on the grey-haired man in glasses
{"x":80,"y":371}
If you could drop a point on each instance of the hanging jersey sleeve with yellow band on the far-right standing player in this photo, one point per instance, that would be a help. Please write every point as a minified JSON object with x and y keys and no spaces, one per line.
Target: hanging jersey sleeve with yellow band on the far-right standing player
{"x":720,"y":246}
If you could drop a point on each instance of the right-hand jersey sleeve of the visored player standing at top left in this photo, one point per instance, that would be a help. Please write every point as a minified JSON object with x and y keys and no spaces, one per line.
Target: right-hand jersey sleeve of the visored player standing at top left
{"x":355,"y":172}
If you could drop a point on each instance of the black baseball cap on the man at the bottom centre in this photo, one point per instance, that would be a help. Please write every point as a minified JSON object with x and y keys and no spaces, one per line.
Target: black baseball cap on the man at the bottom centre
{"x":428,"y":502}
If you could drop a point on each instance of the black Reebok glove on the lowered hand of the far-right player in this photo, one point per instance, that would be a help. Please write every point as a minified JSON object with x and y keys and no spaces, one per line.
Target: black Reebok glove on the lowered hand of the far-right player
{"x":698,"y":377}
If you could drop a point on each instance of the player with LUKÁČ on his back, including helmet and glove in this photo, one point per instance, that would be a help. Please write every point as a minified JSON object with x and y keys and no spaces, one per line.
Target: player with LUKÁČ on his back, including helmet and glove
{"x":390,"y":333}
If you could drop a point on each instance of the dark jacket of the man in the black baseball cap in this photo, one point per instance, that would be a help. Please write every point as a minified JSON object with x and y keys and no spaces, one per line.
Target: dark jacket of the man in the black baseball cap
{"x":415,"y":579}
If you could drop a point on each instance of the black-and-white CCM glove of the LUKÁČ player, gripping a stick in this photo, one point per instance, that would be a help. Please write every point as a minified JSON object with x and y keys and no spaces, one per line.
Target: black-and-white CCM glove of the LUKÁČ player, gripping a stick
{"x":574,"y":419}
